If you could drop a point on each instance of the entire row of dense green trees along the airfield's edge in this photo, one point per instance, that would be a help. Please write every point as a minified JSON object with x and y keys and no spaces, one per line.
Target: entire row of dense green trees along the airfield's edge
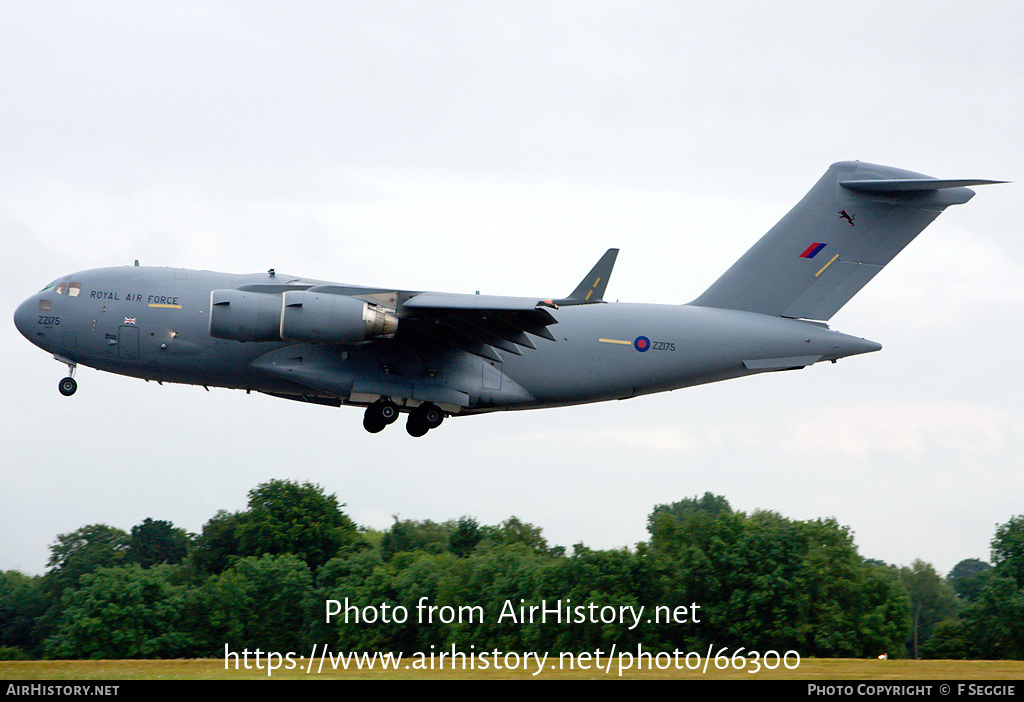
{"x":264,"y":578}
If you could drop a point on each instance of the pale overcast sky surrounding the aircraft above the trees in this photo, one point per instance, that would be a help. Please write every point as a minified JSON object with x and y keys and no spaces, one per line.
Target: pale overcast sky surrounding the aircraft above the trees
{"x":501,"y":148}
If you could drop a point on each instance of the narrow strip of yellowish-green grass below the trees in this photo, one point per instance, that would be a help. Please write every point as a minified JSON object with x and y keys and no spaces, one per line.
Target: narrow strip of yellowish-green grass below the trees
{"x":810,"y":670}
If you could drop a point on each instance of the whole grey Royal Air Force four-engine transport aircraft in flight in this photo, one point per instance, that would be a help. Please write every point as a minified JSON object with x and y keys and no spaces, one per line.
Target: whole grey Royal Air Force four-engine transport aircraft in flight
{"x":440,"y":355}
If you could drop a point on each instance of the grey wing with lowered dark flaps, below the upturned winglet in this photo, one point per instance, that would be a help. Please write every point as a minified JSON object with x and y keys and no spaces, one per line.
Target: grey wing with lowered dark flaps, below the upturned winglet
{"x":480,"y":324}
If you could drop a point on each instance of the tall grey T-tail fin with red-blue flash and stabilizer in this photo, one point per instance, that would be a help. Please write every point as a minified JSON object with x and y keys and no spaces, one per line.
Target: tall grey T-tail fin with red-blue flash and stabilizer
{"x":854,"y":223}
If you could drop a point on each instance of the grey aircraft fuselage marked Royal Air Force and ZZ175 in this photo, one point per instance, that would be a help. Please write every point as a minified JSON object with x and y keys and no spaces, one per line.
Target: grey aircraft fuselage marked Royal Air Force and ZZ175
{"x":155,"y":324}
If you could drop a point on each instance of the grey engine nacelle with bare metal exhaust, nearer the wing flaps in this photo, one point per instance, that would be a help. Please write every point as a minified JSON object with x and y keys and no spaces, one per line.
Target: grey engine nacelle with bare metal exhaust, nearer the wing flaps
{"x":325,"y":319}
